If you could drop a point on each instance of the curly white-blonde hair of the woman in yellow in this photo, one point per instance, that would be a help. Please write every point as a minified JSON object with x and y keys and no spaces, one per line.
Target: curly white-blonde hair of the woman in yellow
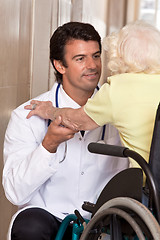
{"x":135,"y":48}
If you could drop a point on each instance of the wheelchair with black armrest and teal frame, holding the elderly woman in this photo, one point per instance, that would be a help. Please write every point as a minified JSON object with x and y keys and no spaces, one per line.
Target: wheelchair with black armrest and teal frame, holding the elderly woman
{"x":125,"y":209}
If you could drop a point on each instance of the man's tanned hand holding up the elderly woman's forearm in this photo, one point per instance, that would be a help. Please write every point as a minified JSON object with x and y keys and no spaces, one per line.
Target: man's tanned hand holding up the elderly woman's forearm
{"x":56,"y":134}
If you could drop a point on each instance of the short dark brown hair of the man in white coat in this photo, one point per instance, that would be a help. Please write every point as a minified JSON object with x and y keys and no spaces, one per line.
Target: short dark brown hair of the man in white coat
{"x":65,"y":33}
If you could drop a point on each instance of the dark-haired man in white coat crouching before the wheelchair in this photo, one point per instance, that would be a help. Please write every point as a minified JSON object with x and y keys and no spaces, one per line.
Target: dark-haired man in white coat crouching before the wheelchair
{"x":48,"y":171}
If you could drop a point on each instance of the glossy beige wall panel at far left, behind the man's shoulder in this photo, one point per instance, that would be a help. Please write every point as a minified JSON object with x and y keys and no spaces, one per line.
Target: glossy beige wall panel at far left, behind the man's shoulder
{"x":15,"y":36}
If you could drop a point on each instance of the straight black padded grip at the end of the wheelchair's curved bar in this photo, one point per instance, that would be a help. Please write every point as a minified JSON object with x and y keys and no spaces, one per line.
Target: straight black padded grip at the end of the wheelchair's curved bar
{"x":106,"y":149}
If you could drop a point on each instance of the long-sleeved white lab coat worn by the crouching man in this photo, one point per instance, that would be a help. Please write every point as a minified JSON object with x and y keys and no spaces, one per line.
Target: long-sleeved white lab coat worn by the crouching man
{"x":34,"y":177}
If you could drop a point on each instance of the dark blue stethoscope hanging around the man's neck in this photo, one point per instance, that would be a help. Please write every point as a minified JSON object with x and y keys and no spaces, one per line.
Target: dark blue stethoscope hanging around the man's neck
{"x":57,"y":106}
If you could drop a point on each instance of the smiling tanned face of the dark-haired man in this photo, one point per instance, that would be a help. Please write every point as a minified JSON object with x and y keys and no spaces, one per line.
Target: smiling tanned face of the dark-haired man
{"x":83,"y":69}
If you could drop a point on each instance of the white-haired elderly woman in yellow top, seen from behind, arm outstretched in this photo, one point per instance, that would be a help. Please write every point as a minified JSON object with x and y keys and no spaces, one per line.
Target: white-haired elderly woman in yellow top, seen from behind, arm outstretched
{"x":131,"y":95}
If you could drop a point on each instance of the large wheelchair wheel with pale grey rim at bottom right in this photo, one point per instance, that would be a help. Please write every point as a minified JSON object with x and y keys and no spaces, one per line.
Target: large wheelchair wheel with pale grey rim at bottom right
{"x":101,"y":220}
